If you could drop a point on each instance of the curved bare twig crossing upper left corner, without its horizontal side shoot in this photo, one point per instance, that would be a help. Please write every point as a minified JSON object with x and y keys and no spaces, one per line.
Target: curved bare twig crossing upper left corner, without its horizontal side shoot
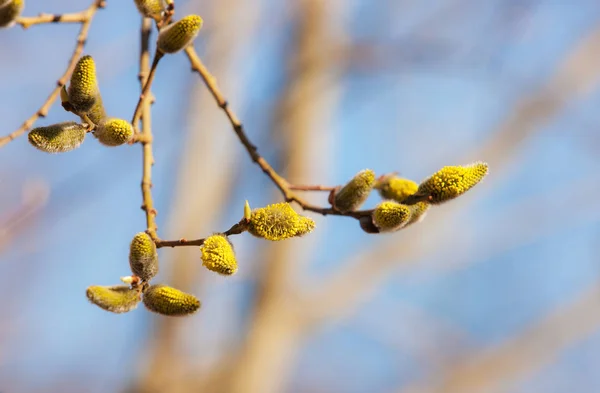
{"x":88,"y":16}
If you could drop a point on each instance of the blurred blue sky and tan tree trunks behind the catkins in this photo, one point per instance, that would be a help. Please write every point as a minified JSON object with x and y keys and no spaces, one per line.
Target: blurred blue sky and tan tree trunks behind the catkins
{"x":496,"y":292}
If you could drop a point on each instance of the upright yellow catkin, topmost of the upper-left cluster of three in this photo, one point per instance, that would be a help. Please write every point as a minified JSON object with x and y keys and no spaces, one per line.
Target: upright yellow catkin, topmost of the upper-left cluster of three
{"x":83,"y":88}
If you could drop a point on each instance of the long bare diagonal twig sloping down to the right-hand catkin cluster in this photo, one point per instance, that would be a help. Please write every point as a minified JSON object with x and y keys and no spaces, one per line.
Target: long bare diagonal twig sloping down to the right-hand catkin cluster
{"x":280,"y":182}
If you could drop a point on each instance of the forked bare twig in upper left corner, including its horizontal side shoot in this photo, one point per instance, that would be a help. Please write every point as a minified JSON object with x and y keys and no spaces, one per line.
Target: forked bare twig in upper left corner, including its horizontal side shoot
{"x":86,"y":20}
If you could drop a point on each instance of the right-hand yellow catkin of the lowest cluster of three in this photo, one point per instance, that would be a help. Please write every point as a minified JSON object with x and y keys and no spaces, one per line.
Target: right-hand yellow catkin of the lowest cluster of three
{"x":170,"y":301}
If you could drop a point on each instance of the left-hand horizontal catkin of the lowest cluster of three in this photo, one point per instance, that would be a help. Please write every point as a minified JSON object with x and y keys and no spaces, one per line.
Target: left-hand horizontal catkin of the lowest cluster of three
{"x":117,"y":299}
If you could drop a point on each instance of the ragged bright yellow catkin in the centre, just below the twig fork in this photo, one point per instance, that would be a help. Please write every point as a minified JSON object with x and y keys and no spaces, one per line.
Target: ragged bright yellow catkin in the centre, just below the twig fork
{"x":278,"y":222}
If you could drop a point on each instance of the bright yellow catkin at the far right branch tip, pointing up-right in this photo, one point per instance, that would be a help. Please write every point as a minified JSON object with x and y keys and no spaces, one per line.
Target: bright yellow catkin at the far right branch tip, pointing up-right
{"x":449,"y":183}
